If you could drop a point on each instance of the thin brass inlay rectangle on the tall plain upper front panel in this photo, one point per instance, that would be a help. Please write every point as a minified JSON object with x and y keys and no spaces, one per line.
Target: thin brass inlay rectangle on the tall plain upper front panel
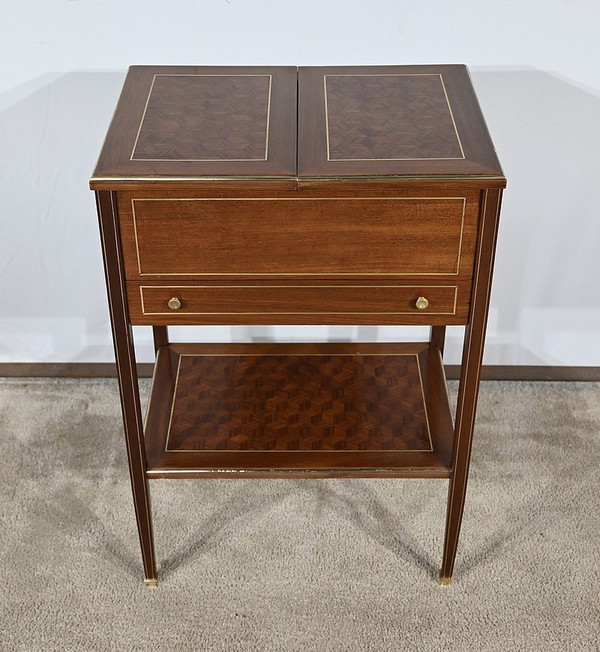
{"x":207,"y":199}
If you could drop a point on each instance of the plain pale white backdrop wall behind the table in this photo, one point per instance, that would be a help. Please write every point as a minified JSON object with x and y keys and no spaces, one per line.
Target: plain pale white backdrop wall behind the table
{"x":535,"y":66}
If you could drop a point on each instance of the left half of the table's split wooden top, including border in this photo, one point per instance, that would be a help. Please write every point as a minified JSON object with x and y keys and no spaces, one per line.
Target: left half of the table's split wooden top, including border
{"x":190,"y":122}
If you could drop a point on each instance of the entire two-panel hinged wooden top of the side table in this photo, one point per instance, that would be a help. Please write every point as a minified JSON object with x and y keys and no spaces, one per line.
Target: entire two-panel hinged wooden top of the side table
{"x":182,"y":123}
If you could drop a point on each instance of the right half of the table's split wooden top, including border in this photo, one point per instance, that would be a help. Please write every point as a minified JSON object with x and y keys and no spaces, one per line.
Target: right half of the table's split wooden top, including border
{"x":392,"y":121}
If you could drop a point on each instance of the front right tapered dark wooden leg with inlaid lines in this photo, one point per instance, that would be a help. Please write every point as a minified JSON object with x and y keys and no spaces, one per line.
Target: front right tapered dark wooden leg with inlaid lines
{"x":469,"y":377}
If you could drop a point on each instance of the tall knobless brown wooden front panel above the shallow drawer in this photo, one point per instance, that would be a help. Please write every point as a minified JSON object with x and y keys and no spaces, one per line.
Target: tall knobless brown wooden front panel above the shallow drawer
{"x":244,"y":237}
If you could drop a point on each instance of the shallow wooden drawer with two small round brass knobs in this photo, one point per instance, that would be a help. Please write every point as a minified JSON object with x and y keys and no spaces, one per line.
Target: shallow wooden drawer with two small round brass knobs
{"x":318,"y":303}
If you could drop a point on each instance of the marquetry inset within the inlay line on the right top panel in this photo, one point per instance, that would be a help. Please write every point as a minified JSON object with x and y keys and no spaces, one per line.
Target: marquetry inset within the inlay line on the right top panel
{"x":389,"y":117}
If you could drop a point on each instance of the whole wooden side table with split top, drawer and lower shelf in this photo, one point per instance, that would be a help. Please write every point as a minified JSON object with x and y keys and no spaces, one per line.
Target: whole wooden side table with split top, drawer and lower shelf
{"x":276,"y":195}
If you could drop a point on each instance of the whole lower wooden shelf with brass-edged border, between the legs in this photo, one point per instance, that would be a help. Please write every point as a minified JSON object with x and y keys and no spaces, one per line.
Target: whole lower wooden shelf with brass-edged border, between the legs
{"x":320,"y":410}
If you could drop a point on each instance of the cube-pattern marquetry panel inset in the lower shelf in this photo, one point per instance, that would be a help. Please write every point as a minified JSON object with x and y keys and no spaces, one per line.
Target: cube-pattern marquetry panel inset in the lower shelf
{"x":299,"y":402}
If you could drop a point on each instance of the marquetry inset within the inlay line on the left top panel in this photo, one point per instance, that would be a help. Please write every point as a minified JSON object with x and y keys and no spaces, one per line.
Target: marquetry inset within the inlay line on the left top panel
{"x":195,"y":117}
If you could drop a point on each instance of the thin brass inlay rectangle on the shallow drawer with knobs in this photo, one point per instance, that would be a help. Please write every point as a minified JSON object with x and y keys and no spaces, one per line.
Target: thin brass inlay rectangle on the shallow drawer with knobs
{"x":307,"y":312}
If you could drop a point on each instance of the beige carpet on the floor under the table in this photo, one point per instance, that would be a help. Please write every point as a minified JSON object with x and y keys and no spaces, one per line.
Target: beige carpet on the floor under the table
{"x":299,"y":565}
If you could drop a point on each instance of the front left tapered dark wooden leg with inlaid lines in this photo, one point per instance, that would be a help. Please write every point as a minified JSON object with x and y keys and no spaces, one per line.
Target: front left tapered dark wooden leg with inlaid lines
{"x":127,"y":374}
